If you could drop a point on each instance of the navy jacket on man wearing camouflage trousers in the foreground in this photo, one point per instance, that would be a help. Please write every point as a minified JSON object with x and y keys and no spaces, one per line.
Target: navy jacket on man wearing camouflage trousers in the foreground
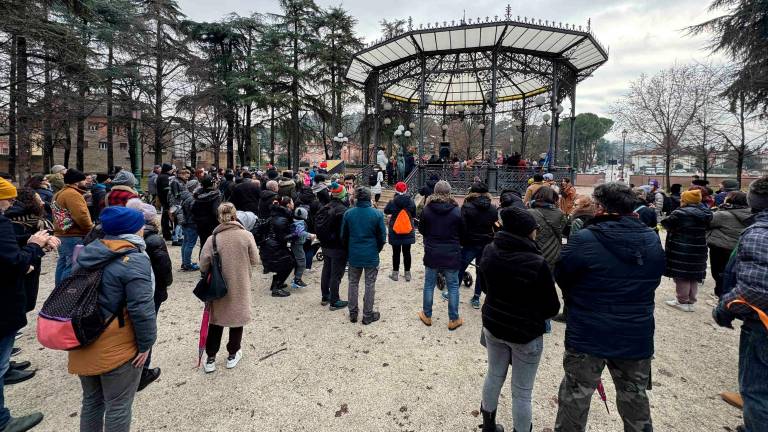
{"x":609,"y":272}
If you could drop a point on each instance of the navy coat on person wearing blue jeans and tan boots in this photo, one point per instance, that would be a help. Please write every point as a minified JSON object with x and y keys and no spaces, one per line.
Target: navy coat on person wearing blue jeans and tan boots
{"x":441,"y":226}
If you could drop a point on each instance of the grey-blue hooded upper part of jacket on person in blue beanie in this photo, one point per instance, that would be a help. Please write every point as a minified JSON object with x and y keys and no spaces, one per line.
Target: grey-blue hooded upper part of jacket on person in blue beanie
{"x":127,"y":282}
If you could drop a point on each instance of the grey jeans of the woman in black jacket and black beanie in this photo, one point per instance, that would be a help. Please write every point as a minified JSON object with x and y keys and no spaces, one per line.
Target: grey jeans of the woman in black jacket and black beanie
{"x":524,"y":359}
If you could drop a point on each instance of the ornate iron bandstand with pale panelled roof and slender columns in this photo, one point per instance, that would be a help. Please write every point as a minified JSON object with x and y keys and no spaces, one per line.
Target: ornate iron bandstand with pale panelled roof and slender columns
{"x":478,"y":68}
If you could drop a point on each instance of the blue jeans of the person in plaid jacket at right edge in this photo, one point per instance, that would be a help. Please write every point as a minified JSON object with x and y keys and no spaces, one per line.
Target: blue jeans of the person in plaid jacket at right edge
{"x":753,"y":375}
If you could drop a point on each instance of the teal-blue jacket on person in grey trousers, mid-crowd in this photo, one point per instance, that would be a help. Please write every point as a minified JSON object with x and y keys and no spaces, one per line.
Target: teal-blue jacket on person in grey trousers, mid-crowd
{"x":364,"y":234}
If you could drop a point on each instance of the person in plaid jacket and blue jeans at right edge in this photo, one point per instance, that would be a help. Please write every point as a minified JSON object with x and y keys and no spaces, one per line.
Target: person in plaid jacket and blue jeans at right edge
{"x":745,"y":297}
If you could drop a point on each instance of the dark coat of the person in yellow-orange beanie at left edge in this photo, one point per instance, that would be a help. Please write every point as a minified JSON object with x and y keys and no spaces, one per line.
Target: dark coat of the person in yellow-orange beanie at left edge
{"x":14,"y":263}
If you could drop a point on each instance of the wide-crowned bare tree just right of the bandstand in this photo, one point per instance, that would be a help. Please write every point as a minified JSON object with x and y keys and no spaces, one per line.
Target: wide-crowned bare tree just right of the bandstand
{"x":660,"y":109}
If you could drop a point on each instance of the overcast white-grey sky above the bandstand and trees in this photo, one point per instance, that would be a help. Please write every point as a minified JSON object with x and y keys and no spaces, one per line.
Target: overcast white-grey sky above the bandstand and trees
{"x":643,"y":36}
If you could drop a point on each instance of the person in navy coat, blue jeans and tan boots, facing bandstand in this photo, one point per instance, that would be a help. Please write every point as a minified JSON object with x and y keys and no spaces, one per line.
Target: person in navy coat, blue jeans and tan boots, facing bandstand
{"x":442,"y":228}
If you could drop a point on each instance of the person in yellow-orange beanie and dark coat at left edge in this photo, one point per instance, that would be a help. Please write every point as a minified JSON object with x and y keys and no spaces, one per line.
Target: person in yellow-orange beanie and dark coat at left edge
{"x":15,"y":263}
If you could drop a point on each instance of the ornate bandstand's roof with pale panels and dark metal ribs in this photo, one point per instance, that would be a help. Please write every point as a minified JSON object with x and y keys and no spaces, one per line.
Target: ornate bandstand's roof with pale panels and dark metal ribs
{"x":459,"y":60}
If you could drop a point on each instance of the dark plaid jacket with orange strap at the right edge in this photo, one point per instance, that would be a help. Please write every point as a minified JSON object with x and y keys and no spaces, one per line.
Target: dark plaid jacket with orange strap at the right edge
{"x":751,"y":271}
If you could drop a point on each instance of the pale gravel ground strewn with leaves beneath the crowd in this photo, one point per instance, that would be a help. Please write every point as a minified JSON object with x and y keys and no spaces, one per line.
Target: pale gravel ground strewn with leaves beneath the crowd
{"x":328,"y":374}
